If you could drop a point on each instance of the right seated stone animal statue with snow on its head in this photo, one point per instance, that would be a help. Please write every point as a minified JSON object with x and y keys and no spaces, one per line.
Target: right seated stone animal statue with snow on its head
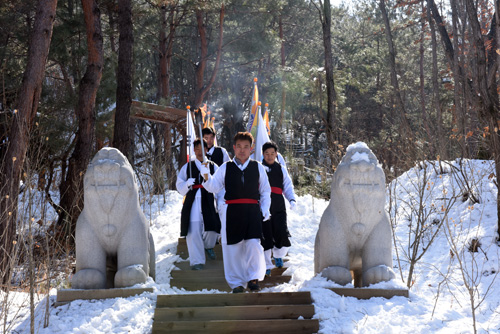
{"x":354,"y":233}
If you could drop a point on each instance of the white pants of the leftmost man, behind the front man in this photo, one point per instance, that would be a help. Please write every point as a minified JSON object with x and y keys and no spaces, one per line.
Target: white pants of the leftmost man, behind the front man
{"x":197,"y":240}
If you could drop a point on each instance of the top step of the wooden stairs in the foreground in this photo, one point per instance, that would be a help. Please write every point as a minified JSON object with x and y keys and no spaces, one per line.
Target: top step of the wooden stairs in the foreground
{"x":238,"y":299}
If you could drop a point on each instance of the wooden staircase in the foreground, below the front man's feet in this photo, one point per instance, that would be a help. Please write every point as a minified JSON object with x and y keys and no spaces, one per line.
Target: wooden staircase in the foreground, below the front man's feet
{"x":242,"y":313}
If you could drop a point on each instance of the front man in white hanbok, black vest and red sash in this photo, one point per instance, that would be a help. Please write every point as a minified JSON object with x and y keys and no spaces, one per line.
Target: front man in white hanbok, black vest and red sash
{"x":247,"y":203}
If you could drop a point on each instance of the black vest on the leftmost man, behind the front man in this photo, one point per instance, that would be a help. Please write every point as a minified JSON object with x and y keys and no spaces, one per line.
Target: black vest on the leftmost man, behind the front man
{"x":211,"y":218}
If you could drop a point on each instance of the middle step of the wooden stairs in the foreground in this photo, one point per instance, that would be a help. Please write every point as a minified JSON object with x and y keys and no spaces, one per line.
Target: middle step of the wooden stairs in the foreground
{"x":247,"y":312}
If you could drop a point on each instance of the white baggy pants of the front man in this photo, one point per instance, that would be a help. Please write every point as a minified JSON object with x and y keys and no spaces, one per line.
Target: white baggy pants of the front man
{"x":243,"y":262}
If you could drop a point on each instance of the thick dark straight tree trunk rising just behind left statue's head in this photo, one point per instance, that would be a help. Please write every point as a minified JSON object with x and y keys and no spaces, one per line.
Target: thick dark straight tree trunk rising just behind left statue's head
{"x":121,"y":136}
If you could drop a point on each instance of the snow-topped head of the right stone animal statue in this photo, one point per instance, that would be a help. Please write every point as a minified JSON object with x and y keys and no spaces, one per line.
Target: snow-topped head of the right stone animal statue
{"x":359,"y":179}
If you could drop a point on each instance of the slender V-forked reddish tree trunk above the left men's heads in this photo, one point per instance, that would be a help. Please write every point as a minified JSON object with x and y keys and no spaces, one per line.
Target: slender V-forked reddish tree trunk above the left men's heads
{"x":202,"y":88}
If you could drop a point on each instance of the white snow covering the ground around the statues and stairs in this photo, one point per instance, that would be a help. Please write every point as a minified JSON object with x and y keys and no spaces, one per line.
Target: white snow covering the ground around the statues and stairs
{"x":439,"y":301}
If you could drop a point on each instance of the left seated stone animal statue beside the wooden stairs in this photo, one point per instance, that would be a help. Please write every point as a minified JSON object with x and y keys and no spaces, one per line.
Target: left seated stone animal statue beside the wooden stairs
{"x":114,"y":247}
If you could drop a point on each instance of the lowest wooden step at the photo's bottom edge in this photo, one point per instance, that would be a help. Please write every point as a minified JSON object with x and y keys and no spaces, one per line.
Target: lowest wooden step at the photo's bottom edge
{"x":274,"y":326}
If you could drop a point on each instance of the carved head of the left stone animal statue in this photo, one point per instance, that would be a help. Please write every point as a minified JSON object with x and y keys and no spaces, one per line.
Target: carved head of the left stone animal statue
{"x":108,"y":177}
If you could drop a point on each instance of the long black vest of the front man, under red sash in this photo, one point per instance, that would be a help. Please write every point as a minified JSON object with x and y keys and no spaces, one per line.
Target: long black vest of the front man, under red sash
{"x":243,"y":221}
